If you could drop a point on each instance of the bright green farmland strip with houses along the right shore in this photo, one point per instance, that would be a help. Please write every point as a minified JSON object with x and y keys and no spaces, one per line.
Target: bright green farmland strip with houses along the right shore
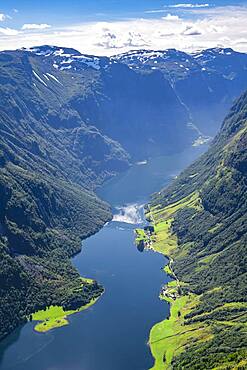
{"x":168,"y":337}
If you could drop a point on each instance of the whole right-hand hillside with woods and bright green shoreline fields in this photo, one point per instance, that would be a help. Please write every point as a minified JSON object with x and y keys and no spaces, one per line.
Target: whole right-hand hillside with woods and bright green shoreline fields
{"x":200,"y":223}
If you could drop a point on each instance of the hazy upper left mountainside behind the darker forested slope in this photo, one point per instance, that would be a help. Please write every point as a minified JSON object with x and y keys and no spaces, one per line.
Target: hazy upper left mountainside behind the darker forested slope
{"x":37,"y":117}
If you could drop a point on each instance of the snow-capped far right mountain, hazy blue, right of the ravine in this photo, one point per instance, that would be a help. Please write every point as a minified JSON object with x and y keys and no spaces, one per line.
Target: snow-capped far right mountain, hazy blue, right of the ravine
{"x":205,"y":82}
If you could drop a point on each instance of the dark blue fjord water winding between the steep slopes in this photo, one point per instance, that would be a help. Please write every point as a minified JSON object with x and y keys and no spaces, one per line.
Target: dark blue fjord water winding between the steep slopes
{"x":113,"y":334}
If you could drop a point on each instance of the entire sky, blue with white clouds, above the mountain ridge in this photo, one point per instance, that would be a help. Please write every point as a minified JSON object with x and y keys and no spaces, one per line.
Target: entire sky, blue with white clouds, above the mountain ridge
{"x":108,"y":27}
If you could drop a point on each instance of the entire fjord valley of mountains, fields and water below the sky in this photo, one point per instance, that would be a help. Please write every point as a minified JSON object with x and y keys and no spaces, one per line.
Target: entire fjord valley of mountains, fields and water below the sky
{"x":85,"y":142}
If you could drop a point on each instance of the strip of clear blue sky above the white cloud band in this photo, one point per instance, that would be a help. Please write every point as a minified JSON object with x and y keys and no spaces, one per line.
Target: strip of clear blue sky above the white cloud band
{"x":60,"y":12}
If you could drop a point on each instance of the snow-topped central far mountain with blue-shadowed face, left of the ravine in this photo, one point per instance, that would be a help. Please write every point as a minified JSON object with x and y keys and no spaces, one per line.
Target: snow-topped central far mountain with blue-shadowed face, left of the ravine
{"x":140,"y":111}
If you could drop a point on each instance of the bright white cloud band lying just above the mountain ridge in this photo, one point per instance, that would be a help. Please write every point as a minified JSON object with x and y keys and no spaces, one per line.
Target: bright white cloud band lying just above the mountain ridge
{"x":200,"y":28}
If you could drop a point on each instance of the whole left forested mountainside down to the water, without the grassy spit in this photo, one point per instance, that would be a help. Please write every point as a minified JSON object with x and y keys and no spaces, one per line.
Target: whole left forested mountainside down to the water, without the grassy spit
{"x":50,"y":162}
